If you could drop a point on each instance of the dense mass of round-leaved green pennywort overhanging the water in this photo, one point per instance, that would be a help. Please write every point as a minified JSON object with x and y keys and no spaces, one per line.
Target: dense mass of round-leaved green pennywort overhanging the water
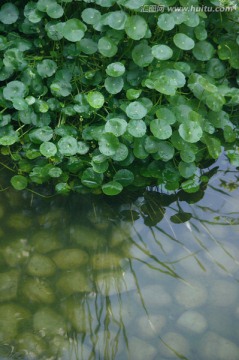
{"x":102,"y":95}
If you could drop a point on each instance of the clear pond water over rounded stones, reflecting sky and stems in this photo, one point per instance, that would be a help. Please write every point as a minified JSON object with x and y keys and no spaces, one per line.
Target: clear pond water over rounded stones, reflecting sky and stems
{"x":145,"y":277}
